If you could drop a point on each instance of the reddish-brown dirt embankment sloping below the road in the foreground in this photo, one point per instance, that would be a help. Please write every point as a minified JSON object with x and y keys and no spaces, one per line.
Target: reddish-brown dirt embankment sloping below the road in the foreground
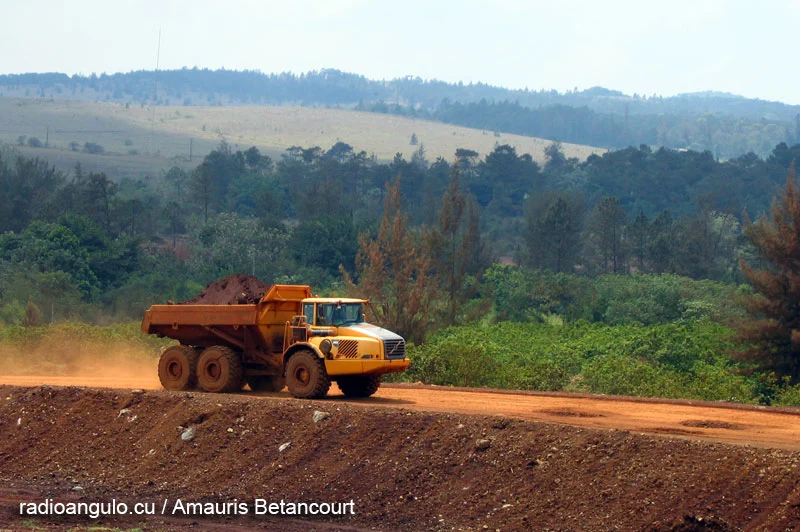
{"x":405,"y":470}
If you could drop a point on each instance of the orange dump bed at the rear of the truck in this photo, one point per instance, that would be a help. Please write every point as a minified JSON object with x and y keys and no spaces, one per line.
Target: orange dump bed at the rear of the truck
{"x":205,"y":325}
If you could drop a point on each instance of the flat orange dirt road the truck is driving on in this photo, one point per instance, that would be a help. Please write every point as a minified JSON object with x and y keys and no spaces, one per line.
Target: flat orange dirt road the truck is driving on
{"x":727,"y":423}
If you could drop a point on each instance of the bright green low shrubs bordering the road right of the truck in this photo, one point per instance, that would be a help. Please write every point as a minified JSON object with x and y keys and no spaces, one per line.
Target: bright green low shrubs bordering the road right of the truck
{"x":677,"y":360}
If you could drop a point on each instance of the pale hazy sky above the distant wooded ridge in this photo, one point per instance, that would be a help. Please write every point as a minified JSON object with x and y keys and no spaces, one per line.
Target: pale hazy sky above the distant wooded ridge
{"x":667,"y":47}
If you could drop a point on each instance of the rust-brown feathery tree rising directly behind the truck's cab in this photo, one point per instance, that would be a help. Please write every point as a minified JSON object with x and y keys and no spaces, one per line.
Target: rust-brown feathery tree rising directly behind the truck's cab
{"x":393,"y":272}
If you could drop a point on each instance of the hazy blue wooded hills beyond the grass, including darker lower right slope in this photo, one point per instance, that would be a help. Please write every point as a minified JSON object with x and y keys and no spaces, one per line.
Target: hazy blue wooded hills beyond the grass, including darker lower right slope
{"x":723,"y":124}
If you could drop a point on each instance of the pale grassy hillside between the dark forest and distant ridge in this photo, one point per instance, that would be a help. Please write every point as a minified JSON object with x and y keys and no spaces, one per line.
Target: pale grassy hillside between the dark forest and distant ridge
{"x":161,"y":135}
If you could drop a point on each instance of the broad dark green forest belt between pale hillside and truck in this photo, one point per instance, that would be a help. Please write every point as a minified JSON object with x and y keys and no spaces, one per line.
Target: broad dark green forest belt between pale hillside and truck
{"x":82,"y":244}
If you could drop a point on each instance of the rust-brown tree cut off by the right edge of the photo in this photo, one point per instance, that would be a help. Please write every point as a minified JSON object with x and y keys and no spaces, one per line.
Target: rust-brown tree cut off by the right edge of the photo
{"x":774,"y":325}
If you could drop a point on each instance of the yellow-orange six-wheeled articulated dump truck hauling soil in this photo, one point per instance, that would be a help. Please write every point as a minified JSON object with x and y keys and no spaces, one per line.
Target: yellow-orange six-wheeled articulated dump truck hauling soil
{"x":287,"y":338}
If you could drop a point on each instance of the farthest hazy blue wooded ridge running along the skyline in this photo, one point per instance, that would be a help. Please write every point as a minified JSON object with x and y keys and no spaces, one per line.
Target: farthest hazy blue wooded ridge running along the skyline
{"x":333,"y":87}
